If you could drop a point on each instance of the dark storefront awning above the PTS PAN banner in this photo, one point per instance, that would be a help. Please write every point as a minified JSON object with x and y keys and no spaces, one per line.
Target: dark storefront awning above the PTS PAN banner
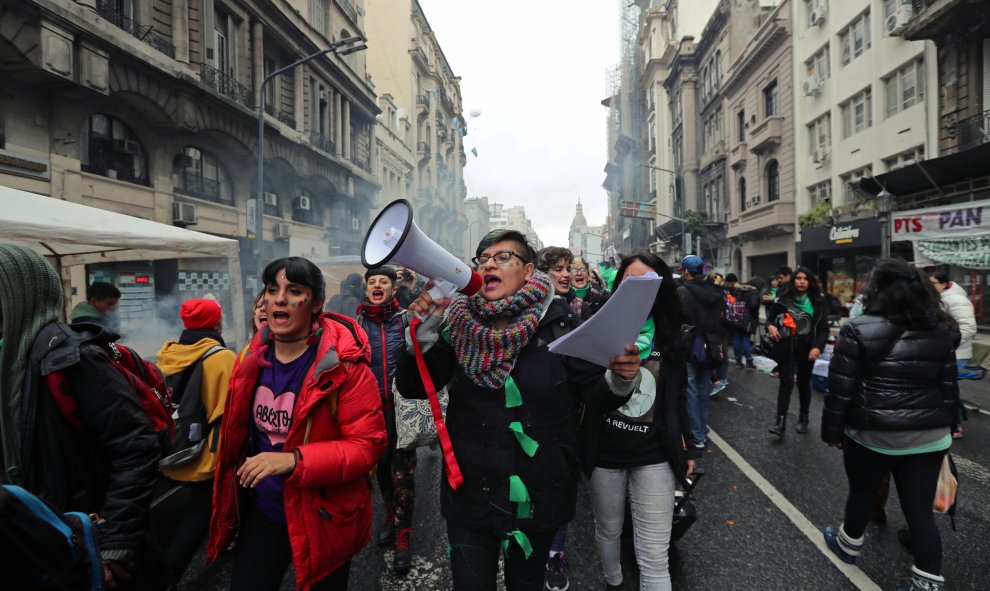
{"x":920,"y":176}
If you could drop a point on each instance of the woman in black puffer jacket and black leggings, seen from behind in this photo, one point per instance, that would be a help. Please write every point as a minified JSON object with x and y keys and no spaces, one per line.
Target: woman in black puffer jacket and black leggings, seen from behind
{"x":891,"y":406}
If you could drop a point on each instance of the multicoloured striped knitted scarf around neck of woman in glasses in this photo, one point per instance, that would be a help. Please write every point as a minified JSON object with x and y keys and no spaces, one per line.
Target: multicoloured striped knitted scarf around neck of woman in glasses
{"x":487,"y":354}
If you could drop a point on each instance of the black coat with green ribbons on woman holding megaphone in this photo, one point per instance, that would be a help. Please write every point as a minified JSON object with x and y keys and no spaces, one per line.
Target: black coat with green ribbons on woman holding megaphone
{"x":553,"y":387}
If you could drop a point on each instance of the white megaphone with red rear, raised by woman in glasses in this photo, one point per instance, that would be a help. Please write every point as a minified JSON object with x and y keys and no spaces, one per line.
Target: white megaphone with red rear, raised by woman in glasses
{"x":394,"y":238}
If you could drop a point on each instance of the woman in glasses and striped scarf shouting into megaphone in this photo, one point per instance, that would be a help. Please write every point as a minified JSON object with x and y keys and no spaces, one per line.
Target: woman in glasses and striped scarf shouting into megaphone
{"x":512,"y":413}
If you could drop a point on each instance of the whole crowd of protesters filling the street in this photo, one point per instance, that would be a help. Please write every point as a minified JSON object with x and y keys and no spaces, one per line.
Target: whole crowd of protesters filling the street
{"x":291,"y":428}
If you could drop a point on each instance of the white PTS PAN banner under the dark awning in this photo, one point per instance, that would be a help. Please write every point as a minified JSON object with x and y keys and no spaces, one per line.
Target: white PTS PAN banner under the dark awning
{"x":950,"y":221}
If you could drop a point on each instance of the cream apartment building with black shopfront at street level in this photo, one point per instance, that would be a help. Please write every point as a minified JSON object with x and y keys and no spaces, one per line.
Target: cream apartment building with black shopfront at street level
{"x":865,"y":103}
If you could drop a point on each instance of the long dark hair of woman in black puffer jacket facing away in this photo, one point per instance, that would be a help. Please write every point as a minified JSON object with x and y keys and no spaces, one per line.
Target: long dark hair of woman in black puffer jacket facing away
{"x":905,"y":296}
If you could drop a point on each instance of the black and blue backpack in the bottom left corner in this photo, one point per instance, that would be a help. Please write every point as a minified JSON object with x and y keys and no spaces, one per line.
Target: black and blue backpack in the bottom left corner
{"x":43,"y":549}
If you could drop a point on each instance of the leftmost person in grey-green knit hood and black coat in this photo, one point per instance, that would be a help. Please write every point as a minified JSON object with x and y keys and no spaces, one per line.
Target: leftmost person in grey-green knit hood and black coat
{"x":101,"y":457}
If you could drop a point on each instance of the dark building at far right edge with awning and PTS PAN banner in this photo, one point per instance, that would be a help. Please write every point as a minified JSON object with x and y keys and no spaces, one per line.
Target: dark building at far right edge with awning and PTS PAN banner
{"x":940,"y":205}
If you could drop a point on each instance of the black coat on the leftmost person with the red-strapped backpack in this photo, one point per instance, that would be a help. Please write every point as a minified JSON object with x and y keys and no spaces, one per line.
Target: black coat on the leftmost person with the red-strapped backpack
{"x":111,"y":466}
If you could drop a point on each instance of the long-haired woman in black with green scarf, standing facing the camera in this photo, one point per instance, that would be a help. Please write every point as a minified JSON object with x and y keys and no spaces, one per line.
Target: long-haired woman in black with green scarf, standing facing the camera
{"x":800,"y":317}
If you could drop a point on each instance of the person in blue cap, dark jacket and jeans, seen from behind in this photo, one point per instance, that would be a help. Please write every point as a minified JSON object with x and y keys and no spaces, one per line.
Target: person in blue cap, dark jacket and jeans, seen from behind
{"x":703,"y":305}
